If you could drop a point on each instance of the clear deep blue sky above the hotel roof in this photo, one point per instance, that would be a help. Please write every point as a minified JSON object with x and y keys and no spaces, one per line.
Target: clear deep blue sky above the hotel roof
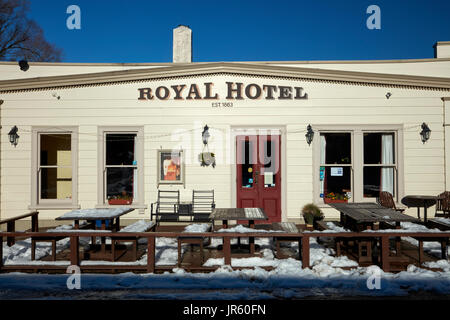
{"x":244,"y":30}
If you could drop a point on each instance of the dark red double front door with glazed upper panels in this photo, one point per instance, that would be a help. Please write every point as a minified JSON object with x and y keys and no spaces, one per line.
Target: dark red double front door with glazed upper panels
{"x":259,"y":174}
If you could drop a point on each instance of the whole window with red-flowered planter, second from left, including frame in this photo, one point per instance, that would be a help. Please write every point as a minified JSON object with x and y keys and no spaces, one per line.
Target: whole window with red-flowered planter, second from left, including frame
{"x":120,"y":177}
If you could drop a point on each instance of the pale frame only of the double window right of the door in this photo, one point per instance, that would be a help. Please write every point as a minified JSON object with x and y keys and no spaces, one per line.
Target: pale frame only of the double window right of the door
{"x":357,"y":153}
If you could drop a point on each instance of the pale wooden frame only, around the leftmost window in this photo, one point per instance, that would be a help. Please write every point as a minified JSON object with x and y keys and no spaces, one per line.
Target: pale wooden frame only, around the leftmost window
{"x":36,"y":201}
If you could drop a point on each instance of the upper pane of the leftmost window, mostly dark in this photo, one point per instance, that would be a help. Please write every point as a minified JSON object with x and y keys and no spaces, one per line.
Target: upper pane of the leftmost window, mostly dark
{"x":55,"y":150}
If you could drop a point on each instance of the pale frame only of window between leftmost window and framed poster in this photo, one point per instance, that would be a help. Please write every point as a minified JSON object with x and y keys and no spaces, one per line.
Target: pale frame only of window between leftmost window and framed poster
{"x":102,"y":201}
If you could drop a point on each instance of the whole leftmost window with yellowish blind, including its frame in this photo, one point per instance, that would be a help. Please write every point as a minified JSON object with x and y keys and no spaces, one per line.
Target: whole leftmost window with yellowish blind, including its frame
{"x":54,"y":169}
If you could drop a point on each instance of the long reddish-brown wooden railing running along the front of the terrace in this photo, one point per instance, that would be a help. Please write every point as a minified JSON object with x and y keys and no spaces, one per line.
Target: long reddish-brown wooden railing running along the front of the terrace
{"x":303,"y":239}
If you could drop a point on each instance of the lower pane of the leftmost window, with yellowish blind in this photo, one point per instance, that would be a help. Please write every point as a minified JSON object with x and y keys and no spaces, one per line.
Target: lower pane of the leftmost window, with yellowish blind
{"x":56,"y":183}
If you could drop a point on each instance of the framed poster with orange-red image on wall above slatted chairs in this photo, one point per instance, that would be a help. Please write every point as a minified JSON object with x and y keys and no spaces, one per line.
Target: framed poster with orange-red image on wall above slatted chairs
{"x":170,"y":166}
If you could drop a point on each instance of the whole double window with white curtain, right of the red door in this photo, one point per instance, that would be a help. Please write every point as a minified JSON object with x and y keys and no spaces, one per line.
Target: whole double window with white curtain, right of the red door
{"x":354,"y":164}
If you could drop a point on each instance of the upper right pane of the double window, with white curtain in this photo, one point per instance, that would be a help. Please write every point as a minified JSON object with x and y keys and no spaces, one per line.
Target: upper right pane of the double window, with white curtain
{"x":379,"y":148}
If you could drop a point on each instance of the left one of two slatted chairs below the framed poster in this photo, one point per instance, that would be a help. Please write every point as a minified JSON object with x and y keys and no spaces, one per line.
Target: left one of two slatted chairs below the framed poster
{"x":167,"y":206}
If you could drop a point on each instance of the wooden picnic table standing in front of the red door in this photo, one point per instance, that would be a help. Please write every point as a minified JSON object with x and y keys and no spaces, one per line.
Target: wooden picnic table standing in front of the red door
{"x":247,"y":214}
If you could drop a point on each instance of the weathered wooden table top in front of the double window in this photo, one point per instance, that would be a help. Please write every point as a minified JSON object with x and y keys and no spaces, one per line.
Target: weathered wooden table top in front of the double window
{"x":371,"y":212}
